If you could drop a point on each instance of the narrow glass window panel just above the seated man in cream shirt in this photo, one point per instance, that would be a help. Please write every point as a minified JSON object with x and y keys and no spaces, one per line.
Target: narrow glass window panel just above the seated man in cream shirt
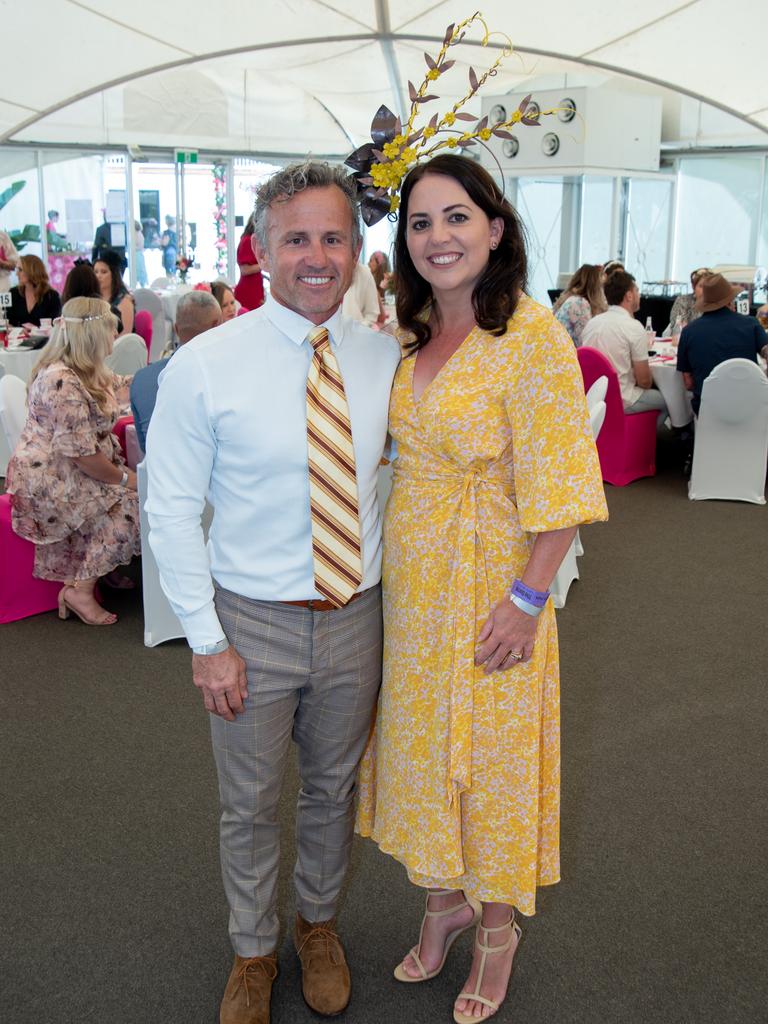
{"x":648,"y":230}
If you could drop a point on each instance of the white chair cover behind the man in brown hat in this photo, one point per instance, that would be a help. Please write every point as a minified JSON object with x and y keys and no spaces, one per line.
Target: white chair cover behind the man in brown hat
{"x":732,"y":444}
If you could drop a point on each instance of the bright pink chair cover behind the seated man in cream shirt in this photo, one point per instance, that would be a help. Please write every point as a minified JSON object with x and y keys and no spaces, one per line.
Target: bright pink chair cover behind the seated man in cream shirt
{"x":627,"y":445}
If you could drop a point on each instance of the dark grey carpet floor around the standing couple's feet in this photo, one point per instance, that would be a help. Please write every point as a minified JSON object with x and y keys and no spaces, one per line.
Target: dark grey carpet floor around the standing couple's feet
{"x":112,"y":903}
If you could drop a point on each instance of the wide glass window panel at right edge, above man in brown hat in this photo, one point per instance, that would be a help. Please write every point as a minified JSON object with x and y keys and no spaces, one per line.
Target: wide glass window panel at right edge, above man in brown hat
{"x":718,"y":206}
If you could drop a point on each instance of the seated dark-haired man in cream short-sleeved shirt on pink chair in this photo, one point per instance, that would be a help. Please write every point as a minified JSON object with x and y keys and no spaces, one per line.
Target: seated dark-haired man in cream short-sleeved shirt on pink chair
{"x":622,"y":338}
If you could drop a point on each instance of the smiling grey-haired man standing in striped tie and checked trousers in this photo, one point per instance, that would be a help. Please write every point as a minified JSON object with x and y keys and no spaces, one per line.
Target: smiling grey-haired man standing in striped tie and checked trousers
{"x":258,"y":415}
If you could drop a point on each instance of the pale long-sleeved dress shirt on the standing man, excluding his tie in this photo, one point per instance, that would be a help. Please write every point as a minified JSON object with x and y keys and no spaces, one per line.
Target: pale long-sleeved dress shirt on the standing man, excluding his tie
{"x":231,"y":424}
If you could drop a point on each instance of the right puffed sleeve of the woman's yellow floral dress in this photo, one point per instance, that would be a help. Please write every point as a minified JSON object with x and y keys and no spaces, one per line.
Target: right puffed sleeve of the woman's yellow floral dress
{"x":558,"y":474}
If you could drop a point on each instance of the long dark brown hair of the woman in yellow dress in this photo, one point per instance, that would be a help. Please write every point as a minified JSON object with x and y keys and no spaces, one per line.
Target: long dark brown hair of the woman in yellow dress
{"x":496,"y":294}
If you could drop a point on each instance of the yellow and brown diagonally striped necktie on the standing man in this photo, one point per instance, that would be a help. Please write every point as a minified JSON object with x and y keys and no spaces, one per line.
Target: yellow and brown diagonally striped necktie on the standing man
{"x":333,"y":485}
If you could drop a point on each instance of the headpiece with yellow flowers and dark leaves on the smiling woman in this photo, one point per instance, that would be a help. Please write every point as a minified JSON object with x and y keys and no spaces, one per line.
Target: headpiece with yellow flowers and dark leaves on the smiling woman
{"x":381,"y":165}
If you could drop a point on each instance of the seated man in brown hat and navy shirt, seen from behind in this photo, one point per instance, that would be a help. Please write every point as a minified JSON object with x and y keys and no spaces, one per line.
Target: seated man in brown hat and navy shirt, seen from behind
{"x":719,"y":334}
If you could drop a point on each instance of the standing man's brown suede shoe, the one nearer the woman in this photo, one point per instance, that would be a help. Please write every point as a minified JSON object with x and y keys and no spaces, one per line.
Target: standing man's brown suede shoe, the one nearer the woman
{"x":325,"y":975}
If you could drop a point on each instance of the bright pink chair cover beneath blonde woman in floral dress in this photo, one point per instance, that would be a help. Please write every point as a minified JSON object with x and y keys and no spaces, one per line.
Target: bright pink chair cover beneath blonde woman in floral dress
{"x":21,"y":593}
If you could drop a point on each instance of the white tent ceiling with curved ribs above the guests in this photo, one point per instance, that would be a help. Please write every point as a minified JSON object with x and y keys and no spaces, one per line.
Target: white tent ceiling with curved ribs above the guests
{"x":300,"y":76}
